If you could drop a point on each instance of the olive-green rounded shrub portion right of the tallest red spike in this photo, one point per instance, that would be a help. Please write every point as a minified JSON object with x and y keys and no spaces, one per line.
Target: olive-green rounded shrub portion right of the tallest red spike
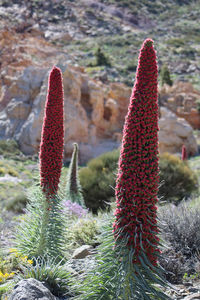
{"x":178,"y":181}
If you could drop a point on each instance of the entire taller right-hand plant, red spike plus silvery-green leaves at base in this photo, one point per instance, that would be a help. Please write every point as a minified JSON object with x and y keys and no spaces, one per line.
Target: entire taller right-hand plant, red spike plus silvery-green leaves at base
{"x":128,"y":269}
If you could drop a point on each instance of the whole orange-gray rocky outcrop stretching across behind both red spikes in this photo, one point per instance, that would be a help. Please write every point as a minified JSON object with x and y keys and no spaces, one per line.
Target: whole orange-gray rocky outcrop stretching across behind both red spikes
{"x":94,"y":111}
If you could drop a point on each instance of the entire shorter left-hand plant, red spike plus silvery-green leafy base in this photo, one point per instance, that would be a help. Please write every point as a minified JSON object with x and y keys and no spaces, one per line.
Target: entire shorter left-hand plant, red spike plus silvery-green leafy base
{"x":41,"y":233}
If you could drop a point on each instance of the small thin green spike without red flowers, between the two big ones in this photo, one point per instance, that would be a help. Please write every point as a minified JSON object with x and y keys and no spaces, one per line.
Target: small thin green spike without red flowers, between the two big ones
{"x":73,"y":187}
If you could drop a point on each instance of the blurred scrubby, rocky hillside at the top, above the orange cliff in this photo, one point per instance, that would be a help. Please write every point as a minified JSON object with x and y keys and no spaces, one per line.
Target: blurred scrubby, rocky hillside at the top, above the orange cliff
{"x":119,"y":27}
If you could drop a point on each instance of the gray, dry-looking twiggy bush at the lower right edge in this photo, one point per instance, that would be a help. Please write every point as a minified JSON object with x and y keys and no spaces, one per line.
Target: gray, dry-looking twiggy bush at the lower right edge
{"x":180,"y":231}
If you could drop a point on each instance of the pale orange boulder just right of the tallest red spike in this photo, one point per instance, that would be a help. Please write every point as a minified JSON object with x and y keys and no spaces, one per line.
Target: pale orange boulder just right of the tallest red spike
{"x":174,"y":133}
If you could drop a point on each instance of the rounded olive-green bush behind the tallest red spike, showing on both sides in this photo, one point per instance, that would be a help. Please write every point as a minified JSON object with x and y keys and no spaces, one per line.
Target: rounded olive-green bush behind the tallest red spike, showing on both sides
{"x":97,"y":179}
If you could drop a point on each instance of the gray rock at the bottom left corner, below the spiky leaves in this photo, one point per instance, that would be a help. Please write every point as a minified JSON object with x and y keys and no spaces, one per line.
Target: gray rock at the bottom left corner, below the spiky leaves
{"x":31,"y":289}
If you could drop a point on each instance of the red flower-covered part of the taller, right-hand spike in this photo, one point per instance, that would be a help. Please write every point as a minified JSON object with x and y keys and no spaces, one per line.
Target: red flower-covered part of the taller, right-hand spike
{"x":137,"y":181}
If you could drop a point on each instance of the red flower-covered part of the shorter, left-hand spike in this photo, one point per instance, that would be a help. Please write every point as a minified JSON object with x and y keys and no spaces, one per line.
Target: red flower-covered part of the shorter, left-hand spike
{"x":52,"y":139}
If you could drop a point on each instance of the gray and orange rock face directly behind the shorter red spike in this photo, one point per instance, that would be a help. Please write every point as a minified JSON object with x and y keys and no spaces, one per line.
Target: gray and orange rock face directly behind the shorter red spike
{"x":94,"y":112}
